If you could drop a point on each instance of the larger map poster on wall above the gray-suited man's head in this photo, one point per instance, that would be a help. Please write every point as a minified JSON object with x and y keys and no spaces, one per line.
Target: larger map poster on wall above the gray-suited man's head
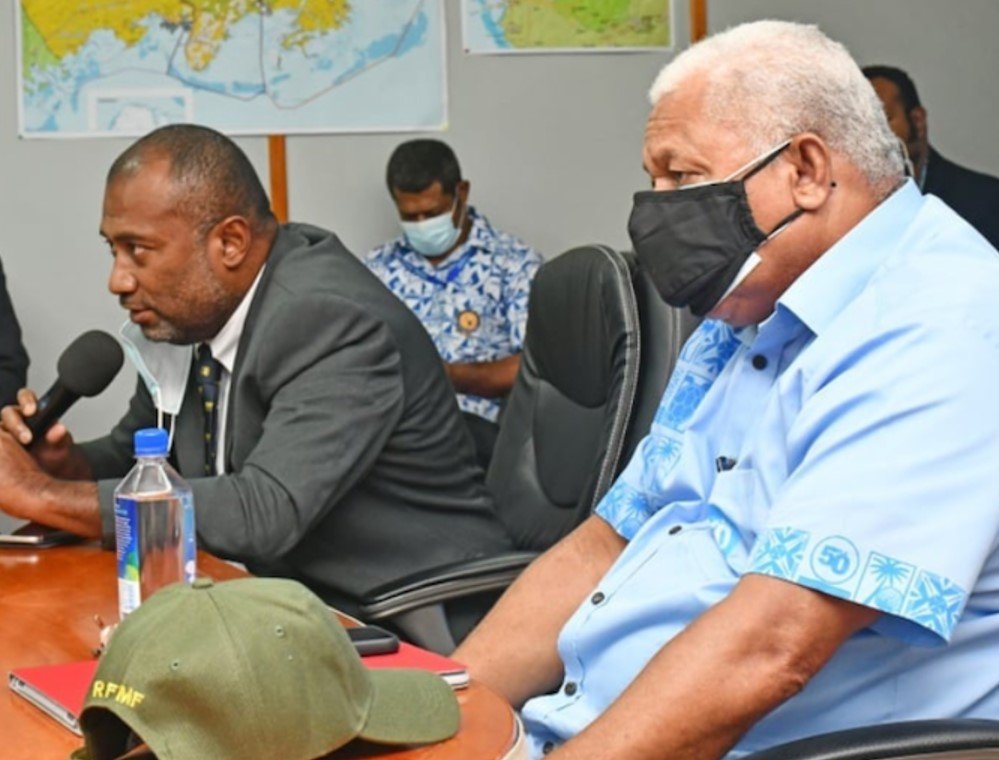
{"x":124,"y":67}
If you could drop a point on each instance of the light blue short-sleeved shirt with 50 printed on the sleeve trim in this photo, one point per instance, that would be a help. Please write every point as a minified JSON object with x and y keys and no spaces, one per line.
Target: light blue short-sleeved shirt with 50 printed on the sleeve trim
{"x":850,"y":444}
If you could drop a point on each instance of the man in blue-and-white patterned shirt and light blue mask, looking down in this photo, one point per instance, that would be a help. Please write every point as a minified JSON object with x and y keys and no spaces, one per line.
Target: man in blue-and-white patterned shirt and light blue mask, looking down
{"x":466,"y":281}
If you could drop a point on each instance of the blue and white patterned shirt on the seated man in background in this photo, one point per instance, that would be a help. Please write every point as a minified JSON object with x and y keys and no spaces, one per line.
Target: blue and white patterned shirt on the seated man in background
{"x":473,"y":303}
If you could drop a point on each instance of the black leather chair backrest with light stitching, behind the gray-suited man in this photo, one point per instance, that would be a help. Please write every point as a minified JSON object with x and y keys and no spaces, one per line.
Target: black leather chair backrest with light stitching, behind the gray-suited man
{"x":563,"y":428}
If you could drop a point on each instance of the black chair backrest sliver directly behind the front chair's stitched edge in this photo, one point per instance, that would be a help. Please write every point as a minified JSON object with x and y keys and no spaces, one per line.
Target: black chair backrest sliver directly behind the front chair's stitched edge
{"x":664,"y":330}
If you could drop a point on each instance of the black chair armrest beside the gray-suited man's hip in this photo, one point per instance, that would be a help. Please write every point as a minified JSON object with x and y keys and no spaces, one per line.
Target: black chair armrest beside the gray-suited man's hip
{"x":440,"y":584}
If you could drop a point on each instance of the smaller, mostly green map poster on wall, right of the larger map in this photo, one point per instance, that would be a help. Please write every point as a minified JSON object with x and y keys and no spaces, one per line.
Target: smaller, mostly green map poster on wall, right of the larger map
{"x":566,"y":26}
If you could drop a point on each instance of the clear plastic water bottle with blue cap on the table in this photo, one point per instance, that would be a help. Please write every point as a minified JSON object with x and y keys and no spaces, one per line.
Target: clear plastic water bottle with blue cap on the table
{"x":153,"y":523}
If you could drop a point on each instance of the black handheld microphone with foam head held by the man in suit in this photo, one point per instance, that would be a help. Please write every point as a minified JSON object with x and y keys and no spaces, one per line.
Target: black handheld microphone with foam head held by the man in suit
{"x":86,"y":367}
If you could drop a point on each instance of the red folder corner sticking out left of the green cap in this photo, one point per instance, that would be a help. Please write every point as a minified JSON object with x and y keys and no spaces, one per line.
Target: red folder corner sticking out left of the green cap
{"x":57,"y":690}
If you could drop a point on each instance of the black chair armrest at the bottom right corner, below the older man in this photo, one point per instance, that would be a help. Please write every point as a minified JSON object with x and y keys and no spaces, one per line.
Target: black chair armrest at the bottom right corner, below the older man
{"x":920,"y":738}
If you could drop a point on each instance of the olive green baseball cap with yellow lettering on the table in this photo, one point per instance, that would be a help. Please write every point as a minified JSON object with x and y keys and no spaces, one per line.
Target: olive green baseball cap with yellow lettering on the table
{"x":250,"y":668}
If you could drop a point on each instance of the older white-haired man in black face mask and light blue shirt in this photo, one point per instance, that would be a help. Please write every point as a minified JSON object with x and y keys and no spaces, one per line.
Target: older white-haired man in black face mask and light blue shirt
{"x":808,"y":538}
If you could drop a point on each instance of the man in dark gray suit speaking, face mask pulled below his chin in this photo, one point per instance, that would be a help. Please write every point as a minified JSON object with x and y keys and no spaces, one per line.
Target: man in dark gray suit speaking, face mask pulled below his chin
{"x":343,"y":459}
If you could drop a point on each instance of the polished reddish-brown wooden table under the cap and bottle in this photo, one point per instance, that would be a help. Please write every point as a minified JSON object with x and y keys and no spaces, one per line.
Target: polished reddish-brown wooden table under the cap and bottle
{"x":48,"y":600}
